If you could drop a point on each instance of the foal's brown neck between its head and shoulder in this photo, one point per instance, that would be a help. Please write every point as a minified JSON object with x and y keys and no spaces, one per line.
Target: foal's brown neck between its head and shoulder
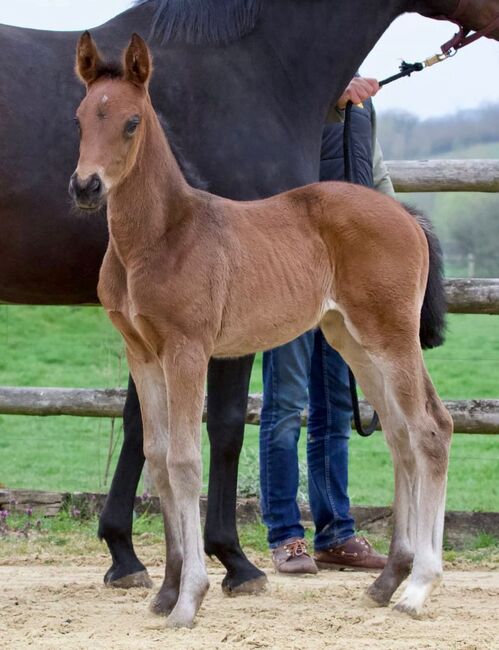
{"x":151,"y":199}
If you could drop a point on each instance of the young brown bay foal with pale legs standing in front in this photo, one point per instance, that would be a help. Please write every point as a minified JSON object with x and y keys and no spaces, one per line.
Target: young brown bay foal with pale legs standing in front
{"x":188,"y":276}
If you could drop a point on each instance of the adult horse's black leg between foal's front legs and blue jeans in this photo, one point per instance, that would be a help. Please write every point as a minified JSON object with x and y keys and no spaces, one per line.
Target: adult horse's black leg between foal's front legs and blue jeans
{"x":228,"y":382}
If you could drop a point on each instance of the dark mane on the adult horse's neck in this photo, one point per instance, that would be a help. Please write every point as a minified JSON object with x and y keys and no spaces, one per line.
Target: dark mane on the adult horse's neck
{"x":209,"y":22}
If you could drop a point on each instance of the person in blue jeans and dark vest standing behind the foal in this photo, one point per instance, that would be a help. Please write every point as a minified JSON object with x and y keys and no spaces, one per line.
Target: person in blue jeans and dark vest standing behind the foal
{"x":309,"y":360}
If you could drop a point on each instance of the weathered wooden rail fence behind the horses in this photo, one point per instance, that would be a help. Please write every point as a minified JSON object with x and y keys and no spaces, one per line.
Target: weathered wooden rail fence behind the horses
{"x":470,"y":296}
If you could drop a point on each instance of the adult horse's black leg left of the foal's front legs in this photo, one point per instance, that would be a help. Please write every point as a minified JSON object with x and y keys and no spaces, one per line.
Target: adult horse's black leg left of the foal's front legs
{"x":115,"y":524}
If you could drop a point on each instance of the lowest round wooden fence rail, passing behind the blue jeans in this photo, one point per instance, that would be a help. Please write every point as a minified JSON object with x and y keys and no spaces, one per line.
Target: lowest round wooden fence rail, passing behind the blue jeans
{"x":470,"y":416}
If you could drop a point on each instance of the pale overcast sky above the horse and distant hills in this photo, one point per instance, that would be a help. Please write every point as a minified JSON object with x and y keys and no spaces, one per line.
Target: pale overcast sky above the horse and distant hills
{"x":466,"y":81}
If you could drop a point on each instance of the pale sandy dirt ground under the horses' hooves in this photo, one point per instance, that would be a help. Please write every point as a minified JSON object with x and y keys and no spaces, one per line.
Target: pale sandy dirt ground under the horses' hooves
{"x":65,"y":605}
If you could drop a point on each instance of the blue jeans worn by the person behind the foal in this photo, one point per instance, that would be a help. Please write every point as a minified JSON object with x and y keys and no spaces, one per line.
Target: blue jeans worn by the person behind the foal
{"x":308,"y":361}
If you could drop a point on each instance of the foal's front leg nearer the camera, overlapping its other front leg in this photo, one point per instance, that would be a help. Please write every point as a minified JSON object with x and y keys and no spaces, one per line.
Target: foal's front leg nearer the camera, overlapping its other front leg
{"x":185,"y":374}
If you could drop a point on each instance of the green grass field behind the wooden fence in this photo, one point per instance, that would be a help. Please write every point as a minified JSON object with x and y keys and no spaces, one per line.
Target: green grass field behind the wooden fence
{"x":63,"y":346}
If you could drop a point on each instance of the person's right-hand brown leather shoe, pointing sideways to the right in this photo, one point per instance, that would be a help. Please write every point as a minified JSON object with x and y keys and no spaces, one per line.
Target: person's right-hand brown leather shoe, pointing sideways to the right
{"x":356,"y":554}
